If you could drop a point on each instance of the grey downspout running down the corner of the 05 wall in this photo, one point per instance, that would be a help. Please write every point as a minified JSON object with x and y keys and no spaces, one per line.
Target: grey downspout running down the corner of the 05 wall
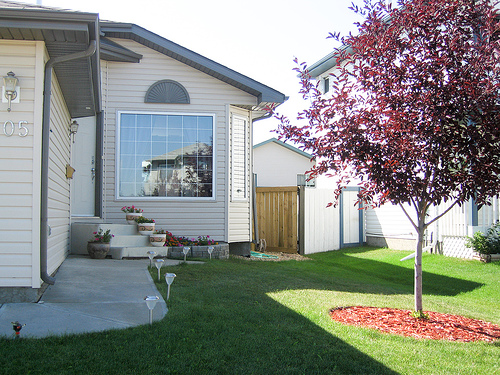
{"x":44,"y":228}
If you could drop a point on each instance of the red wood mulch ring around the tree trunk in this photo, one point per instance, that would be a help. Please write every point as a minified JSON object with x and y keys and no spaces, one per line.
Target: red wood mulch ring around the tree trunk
{"x":401,"y":322}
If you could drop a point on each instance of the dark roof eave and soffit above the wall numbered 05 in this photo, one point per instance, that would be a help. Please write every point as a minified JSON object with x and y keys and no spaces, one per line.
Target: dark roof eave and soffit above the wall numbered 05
{"x":64,"y":32}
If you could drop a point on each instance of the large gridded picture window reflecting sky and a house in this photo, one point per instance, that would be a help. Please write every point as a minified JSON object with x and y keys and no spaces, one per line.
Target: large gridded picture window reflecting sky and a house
{"x":165,"y":155}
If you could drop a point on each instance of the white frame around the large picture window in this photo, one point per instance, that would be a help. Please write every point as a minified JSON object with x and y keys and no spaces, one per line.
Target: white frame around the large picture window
{"x":183,"y":199}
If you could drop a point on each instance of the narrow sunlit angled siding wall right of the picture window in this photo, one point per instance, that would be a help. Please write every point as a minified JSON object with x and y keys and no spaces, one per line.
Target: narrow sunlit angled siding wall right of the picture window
{"x":239,"y":205}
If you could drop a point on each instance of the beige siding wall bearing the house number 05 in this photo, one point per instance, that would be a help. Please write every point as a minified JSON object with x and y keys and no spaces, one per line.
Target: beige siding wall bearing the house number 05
{"x":19,"y":168}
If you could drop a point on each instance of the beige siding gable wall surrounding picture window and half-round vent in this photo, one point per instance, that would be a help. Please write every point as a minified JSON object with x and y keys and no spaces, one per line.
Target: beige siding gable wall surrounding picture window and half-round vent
{"x":124,"y":88}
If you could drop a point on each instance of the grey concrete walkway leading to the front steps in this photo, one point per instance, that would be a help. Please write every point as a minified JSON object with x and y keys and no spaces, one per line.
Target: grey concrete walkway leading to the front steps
{"x":89,"y":295}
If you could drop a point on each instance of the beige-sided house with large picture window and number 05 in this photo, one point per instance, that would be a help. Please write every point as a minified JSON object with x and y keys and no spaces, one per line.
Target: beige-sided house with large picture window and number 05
{"x":160,"y":127}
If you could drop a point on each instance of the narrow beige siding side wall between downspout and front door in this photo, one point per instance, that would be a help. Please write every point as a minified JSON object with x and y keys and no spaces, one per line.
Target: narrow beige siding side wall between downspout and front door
{"x":59,"y":187}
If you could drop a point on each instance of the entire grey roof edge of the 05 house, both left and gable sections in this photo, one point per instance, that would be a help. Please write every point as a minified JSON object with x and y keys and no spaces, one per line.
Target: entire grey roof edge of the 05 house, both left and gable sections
{"x":65,"y":31}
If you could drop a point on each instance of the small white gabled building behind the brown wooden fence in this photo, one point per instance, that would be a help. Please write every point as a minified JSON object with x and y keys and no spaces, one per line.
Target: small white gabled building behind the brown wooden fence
{"x":279,"y":164}
